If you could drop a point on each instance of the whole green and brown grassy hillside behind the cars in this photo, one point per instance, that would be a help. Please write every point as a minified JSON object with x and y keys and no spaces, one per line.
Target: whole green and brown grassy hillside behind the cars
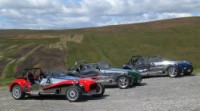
{"x":176,"y":39}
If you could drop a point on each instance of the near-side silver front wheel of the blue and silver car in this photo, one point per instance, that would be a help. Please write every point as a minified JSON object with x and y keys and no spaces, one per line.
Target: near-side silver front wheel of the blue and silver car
{"x":173,"y":72}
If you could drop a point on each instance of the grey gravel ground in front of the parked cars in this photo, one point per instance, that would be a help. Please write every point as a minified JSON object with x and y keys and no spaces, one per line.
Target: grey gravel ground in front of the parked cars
{"x":154,"y":94}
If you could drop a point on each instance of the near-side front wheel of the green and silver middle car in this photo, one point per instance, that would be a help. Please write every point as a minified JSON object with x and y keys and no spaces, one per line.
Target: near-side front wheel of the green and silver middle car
{"x":123,"y":82}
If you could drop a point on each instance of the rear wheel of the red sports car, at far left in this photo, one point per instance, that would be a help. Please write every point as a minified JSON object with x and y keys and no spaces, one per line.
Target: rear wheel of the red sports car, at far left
{"x":17,"y":92}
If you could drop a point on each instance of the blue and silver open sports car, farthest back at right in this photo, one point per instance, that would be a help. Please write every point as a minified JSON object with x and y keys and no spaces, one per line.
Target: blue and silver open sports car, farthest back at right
{"x":155,"y":65}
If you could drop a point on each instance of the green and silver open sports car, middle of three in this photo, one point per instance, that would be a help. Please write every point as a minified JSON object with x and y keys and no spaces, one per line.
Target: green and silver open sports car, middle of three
{"x":101,"y":71}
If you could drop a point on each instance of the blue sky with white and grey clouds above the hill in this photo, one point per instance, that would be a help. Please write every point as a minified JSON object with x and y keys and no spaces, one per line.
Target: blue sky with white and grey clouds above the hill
{"x":70,"y":14}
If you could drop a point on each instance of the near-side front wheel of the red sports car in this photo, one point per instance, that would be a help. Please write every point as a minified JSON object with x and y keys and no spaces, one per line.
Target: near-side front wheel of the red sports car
{"x":73,"y":93}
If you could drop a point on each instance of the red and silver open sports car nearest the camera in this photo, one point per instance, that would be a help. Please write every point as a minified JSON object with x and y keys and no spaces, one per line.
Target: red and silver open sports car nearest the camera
{"x":35,"y":83}
